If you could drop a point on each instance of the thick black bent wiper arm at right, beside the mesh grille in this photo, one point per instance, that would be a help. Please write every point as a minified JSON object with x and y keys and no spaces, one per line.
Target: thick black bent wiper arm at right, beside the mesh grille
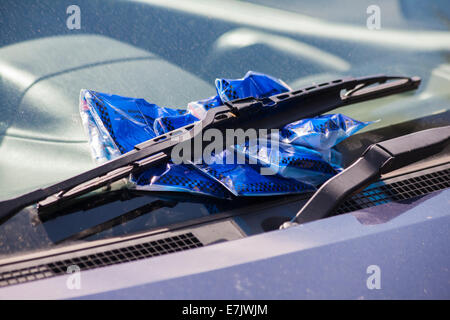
{"x":379,"y":158}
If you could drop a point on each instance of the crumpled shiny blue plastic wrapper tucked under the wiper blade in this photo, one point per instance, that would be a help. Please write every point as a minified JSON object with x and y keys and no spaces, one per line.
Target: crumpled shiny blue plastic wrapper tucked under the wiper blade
{"x":303,"y":159}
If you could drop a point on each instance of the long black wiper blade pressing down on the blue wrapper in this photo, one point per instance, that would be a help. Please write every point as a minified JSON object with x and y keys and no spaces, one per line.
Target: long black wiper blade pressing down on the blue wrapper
{"x":266,"y":113}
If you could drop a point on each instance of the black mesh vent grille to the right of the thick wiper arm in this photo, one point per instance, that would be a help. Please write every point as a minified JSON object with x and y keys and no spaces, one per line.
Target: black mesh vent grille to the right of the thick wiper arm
{"x":397,"y":191}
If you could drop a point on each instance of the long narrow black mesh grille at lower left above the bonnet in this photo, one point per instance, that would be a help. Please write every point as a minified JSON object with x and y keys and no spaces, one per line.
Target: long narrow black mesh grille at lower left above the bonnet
{"x":124,"y":254}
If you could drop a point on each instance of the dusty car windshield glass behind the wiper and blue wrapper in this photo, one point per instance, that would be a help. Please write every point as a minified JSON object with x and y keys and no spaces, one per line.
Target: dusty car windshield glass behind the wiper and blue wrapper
{"x":170,"y":53}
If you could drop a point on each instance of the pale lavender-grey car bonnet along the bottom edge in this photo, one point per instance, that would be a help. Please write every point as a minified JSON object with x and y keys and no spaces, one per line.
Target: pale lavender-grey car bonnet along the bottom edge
{"x":323,"y":259}
